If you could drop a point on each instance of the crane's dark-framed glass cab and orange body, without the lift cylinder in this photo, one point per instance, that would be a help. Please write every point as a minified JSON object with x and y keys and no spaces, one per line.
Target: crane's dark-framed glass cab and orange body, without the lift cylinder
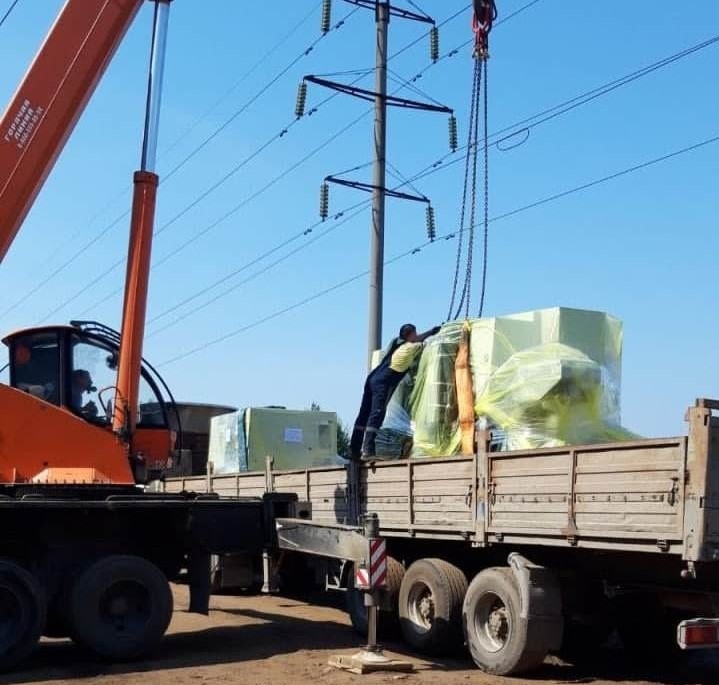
{"x":59,"y":406}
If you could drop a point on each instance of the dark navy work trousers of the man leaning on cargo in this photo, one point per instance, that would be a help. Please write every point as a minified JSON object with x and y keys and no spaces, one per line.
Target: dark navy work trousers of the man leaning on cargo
{"x":378,"y":389}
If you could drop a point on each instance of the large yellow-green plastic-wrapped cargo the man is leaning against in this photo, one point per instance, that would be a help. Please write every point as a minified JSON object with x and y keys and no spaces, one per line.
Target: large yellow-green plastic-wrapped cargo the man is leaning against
{"x":541,"y":378}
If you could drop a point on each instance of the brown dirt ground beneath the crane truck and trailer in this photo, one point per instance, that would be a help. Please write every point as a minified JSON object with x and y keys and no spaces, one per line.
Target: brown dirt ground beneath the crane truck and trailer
{"x":263,"y":640}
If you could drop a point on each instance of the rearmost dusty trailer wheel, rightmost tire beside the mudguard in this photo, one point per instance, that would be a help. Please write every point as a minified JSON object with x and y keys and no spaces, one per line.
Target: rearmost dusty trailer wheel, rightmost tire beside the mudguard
{"x":494,"y":630}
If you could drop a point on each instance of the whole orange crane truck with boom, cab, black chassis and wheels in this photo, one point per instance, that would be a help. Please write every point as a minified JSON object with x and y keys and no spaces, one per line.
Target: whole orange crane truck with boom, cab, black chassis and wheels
{"x":85,"y":551}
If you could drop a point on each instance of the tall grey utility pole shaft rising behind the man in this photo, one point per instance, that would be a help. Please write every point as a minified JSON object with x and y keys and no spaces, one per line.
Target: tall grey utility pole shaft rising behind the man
{"x":376,"y":281}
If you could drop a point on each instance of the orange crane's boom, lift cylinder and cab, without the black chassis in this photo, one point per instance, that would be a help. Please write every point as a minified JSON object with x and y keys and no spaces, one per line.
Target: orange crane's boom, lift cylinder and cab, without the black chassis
{"x":47,"y":437}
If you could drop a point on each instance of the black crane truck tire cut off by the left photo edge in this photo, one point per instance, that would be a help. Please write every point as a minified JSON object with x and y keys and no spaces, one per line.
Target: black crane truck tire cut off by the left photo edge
{"x":22,"y":614}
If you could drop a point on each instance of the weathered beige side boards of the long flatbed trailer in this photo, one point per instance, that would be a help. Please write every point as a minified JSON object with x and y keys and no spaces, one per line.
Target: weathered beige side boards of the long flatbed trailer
{"x":646,"y":495}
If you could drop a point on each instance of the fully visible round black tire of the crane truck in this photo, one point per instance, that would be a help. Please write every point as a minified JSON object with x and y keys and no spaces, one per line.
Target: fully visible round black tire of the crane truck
{"x":120,"y":607}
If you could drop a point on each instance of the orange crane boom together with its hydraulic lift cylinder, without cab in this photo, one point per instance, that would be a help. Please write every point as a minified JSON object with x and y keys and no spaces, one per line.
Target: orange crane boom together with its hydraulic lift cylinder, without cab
{"x":35,"y":128}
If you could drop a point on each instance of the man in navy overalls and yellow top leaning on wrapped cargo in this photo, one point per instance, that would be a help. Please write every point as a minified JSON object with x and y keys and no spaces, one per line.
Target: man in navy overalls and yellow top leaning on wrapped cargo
{"x":380,"y":385}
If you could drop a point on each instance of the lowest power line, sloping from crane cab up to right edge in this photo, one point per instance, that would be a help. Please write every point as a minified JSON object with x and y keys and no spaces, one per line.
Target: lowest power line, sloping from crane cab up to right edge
{"x":448,"y":236}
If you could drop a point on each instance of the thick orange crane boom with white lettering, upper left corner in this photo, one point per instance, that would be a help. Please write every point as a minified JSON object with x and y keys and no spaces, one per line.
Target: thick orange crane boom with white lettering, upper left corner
{"x":52,"y":96}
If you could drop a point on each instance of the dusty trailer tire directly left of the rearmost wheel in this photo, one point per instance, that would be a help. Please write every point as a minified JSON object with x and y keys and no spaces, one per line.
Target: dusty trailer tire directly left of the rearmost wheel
{"x":430,"y":606}
